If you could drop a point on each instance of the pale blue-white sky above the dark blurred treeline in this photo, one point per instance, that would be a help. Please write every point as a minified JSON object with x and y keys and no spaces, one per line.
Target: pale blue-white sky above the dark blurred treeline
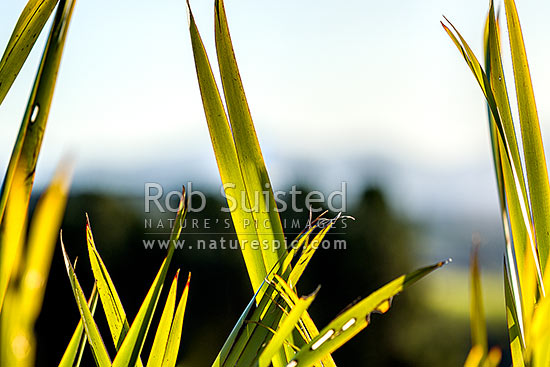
{"x":342,"y":83}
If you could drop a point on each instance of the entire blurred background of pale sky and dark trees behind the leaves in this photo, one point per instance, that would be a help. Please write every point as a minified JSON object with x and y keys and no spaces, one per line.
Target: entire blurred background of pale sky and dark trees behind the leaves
{"x":369,"y":93}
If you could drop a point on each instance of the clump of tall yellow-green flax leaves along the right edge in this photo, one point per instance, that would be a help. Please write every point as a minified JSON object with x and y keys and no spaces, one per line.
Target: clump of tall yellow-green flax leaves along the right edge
{"x":526,"y":302}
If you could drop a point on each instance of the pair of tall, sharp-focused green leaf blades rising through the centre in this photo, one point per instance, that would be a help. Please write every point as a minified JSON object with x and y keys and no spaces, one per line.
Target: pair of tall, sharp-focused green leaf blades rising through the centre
{"x":239,"y":158}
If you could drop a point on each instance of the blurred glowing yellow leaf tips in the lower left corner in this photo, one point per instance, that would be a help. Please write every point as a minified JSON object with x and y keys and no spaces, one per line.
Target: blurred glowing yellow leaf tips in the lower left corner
{"x":24,"y":269}
